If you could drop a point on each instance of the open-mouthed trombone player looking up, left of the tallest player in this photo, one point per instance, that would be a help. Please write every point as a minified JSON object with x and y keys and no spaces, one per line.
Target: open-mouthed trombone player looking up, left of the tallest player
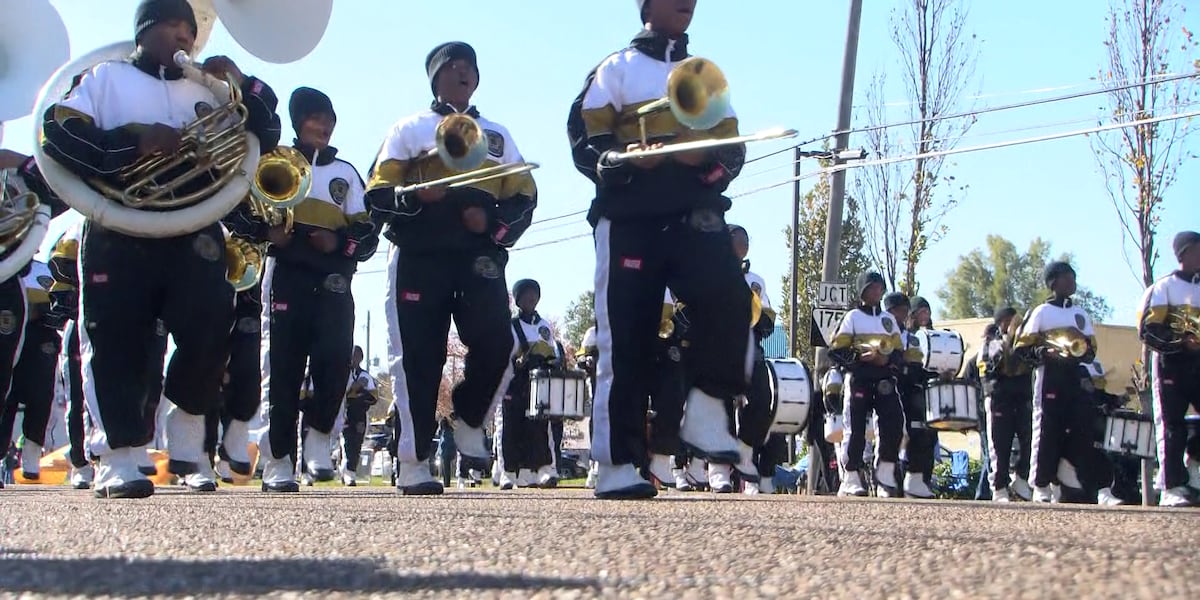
{"x":449,"y":257}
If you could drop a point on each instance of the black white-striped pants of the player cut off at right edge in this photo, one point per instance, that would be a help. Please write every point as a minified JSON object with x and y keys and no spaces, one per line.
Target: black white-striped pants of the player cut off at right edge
{"x":1177,"y":386}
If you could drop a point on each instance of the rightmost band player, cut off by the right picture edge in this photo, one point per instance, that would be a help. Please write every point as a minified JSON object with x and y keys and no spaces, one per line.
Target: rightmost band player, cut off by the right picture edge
{"x":1171,"y":326}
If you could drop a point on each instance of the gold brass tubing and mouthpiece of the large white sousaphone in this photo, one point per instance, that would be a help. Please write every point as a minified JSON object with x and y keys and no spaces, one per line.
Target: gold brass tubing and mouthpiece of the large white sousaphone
{"x":213,"y":143}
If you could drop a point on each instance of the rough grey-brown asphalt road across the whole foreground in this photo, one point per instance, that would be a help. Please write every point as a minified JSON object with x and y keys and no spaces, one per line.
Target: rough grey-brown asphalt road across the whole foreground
{"x":338,"y":543}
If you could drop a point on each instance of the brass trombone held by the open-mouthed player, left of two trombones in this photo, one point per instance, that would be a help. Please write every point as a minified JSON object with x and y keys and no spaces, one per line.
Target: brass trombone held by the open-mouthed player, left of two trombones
{"x":463,"y":146}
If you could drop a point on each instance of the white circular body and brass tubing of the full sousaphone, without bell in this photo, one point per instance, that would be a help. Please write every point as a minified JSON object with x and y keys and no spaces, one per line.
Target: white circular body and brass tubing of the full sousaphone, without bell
{"x":187,"y":191}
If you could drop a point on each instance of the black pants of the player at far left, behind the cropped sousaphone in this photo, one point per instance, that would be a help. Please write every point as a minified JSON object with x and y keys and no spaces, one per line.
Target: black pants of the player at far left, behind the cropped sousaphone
{"x":33,"y":383}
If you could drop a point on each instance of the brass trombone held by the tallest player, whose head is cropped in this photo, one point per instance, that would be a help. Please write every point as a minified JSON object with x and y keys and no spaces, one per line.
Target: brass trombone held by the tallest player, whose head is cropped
{"x":699,"y":98}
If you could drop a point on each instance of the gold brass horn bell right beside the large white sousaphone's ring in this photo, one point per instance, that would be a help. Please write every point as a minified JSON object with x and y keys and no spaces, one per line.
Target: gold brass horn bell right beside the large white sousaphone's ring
{"x":283,"y":181}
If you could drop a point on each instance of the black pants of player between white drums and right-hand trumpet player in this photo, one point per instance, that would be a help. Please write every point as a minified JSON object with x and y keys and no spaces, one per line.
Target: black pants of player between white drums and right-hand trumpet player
{"x":1010,"y":413}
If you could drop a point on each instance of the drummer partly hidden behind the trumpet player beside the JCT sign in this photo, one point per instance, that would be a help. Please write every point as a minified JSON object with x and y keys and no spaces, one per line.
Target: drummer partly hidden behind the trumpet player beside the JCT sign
{"x":914,"y":379}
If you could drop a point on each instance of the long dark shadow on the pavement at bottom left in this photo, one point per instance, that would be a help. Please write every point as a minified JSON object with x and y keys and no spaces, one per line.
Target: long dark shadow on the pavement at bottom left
{"x":118,"y":577}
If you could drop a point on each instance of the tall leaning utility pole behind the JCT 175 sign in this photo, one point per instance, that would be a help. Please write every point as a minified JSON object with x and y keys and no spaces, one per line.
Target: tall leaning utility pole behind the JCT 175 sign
{"x":838,"y":193}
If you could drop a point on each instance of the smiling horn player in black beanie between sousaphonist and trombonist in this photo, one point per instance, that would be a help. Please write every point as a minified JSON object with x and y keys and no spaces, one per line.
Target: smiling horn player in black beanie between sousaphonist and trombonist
{"x":308,"y":305}
